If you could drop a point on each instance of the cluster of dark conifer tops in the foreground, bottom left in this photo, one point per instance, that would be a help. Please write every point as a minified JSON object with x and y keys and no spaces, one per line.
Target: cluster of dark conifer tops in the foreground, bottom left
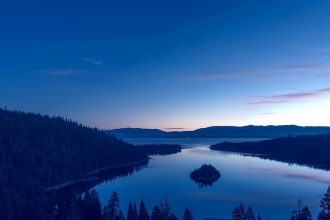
{"x":88,"y":207}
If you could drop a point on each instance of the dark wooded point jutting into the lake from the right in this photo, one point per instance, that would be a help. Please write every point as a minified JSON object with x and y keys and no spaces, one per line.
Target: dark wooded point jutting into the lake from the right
{"x":311,"y":150}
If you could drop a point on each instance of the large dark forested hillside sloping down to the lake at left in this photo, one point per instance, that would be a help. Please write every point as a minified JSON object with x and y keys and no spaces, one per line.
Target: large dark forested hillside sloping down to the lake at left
{"x":38,"y":152}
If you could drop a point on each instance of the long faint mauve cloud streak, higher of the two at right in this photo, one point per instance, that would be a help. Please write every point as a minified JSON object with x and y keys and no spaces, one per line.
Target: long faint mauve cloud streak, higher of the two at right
{"x":264,"y":72}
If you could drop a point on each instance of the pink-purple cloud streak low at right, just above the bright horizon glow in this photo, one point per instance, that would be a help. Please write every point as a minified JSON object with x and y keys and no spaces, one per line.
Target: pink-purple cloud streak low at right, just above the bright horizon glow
{"x":290,"y":97}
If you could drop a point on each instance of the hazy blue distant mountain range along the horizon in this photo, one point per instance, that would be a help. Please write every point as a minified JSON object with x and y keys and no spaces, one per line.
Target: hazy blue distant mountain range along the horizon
{"x":222,"y":132}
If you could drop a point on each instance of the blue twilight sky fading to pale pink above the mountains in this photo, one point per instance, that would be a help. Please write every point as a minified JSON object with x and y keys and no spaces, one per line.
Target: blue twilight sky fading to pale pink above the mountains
{"x":172,"y":65}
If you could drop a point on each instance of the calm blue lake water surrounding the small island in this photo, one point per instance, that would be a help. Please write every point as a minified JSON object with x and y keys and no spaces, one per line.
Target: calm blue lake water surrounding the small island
{"x":272,"y":188}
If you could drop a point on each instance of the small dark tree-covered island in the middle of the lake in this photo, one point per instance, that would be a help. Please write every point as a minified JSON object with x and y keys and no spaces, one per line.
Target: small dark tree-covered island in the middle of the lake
{"x":206,"y":175}
